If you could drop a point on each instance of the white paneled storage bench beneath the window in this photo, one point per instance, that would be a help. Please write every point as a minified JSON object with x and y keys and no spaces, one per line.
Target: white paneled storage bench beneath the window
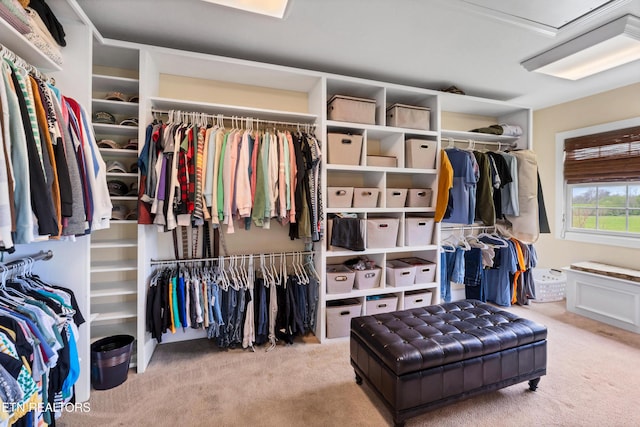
{"x":605,"y":293}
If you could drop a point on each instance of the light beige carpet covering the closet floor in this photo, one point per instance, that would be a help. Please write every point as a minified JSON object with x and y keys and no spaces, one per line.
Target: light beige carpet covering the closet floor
{"x":592,"y":380}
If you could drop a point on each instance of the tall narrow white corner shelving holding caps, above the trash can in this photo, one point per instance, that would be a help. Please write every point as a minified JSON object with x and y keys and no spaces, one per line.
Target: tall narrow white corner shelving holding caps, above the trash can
{"x":114,"y":251}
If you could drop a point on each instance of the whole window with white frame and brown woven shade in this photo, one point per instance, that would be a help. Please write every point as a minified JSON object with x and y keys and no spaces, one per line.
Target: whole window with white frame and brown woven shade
{"x":598,"y":169}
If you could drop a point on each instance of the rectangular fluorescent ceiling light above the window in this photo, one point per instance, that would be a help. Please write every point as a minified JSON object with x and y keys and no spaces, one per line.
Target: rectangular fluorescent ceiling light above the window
{"x":609,"y":46}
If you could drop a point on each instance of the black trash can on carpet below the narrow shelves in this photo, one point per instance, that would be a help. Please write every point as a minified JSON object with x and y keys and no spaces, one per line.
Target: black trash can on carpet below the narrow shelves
{"x":110,"y":358}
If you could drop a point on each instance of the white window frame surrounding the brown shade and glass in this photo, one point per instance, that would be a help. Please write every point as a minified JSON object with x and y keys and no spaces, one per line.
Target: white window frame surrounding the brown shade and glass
{"x":563,"y":203}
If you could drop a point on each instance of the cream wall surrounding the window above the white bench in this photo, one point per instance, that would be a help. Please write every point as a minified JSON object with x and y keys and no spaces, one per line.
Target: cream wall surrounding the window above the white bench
{"x":619,"y":104}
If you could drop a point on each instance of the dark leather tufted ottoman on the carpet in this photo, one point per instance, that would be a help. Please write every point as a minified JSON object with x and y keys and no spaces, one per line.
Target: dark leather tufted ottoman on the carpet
{"x":424,"y":358}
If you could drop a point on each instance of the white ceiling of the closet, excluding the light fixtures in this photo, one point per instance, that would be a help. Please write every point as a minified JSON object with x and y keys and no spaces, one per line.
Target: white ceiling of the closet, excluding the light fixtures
{"x":476,"y":45}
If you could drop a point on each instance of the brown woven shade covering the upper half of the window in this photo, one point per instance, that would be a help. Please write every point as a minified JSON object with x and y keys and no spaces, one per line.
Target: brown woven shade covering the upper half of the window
{"x":603,"y":157}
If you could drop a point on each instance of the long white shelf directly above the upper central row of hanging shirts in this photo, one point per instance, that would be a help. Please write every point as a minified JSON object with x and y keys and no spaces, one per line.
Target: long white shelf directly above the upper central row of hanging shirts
{"x":231,"y":110}
